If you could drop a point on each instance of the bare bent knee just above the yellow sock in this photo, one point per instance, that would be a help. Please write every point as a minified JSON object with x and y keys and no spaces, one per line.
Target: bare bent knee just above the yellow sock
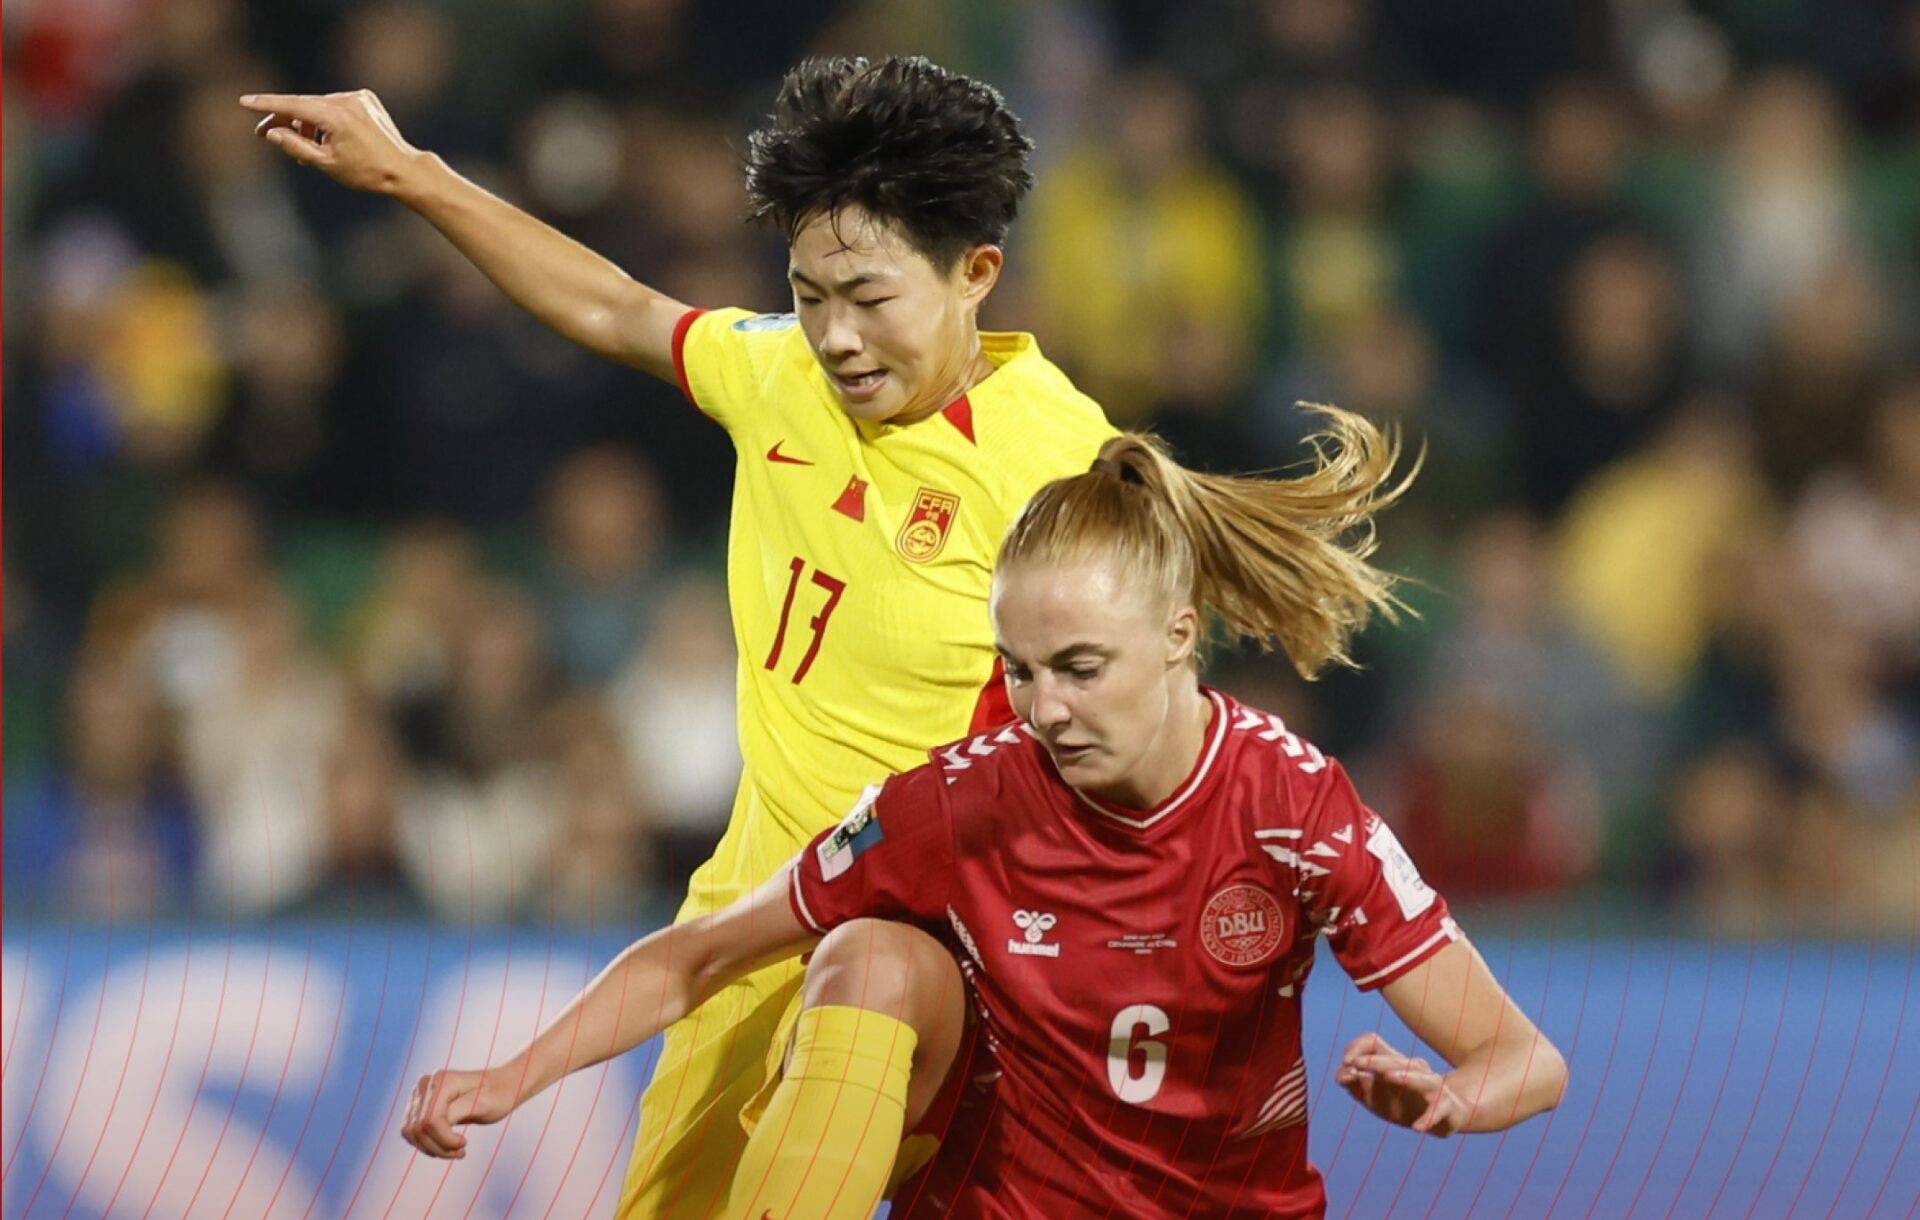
{"x":884,"y":967}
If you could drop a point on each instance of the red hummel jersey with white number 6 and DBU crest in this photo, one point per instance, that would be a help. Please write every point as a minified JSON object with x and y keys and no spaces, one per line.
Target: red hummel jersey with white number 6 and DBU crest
{"x":1138,"y":975}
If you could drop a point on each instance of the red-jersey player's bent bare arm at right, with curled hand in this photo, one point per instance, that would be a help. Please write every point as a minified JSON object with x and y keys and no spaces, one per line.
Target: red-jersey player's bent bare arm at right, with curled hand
{"x":1504,"y":1069}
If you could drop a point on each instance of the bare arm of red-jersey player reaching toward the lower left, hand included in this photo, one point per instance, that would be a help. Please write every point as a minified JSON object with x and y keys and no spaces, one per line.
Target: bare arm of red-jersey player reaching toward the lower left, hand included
{"x":650,"y":987}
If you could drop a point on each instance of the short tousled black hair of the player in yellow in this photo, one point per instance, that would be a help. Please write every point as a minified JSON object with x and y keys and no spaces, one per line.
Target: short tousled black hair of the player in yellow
{"x":930,"y":151}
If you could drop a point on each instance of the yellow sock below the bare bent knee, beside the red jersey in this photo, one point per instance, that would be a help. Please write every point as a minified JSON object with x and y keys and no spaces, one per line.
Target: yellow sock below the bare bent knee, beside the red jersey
{"x":827,"y":1142}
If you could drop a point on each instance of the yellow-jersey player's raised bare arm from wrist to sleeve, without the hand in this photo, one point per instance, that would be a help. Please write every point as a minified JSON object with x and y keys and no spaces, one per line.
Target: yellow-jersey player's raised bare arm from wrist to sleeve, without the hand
{"x":548,"y":274}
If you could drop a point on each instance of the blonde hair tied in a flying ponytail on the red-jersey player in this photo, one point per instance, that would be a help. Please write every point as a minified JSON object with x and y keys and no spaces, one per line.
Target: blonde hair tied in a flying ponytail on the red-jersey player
{"x":1282,"y":562}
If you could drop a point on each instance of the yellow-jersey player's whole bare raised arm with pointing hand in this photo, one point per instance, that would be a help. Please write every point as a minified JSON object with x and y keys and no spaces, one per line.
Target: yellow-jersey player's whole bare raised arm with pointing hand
{"x":352,"y":139}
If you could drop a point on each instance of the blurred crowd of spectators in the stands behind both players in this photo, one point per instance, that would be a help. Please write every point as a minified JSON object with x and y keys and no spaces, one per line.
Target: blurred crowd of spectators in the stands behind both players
{"x":339,"y":587}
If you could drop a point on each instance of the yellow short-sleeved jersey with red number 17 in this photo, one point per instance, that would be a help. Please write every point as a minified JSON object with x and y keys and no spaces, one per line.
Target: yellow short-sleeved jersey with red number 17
{"x":859,"y":564}
